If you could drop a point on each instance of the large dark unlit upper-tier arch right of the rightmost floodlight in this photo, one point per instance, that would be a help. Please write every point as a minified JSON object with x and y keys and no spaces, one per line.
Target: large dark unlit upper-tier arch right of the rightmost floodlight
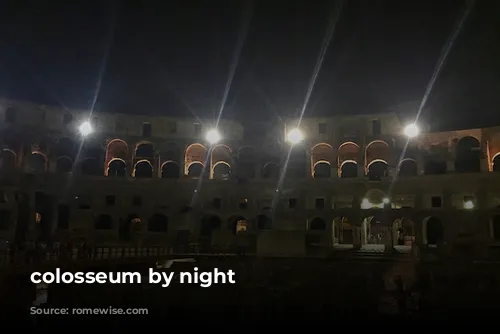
{"x":468,"y":155}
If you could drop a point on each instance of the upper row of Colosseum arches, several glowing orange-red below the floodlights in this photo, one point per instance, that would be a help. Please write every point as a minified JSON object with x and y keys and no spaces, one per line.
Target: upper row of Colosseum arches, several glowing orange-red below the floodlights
{"x":145,"y":159}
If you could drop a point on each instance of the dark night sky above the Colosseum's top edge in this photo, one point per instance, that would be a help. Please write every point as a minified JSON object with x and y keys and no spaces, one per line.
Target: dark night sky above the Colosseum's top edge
{"x":168,"y":58}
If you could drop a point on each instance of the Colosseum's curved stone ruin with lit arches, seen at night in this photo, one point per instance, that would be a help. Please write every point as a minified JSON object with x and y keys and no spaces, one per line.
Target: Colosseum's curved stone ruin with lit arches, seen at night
{"x":352,"y":183}
